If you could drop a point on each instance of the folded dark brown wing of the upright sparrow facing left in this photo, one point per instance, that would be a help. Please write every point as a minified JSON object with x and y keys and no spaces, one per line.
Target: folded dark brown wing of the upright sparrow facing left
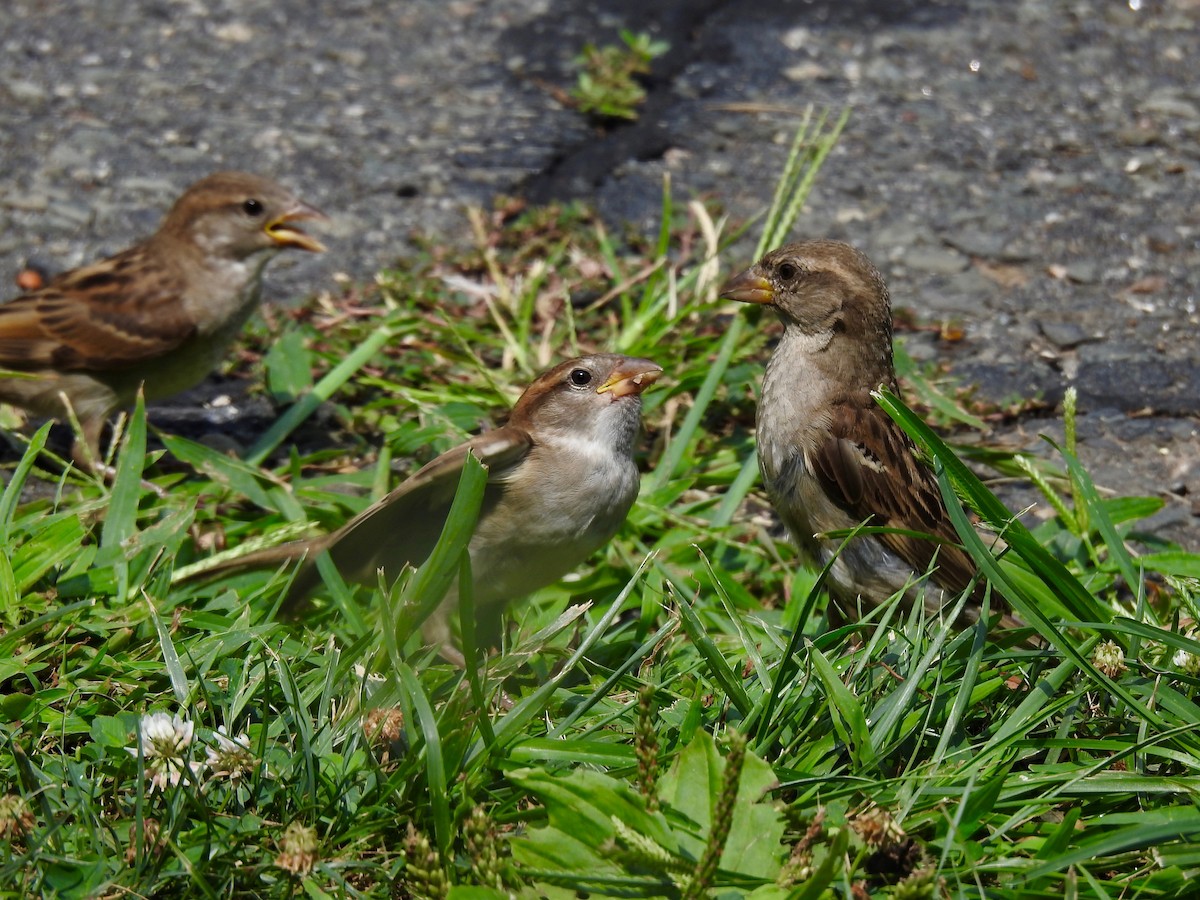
{"x":869,"y":467}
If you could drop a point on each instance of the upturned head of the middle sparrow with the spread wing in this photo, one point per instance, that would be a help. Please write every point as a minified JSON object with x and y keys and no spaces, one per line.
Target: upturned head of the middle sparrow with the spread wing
{"x":596,"y":398}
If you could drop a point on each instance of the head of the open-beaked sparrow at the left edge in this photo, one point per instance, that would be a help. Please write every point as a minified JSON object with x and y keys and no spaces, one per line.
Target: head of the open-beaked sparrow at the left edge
{"x":236,"y":215}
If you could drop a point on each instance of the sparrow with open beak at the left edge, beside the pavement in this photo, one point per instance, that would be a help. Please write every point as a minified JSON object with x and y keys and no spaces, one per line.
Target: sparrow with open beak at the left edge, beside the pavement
{"x":160,"y":315}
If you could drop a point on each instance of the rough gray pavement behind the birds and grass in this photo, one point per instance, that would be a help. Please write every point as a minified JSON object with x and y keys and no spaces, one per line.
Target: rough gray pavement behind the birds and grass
{"x":1029,"y":169}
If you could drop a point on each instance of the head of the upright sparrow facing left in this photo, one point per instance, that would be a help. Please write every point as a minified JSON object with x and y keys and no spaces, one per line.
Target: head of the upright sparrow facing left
{"x":824,"y":289}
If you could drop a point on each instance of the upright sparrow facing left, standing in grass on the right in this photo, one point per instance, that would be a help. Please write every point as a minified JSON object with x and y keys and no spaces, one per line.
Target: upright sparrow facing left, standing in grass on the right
{"x":830,"y":457}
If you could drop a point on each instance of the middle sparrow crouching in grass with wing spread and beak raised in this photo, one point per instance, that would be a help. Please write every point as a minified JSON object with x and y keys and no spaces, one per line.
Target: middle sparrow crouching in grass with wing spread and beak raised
{"x":561,"y":482}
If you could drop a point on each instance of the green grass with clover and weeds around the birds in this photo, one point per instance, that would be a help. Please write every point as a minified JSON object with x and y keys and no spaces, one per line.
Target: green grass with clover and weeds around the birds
{"x":677,"y":721}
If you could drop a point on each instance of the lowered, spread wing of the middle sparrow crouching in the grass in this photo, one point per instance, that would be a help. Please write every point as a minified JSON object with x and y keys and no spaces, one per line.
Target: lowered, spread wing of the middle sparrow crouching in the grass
{"x":404,"y":527}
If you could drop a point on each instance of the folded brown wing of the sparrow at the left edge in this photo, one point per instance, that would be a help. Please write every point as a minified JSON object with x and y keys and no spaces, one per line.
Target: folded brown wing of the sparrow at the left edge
{"x":94,"y":319}
